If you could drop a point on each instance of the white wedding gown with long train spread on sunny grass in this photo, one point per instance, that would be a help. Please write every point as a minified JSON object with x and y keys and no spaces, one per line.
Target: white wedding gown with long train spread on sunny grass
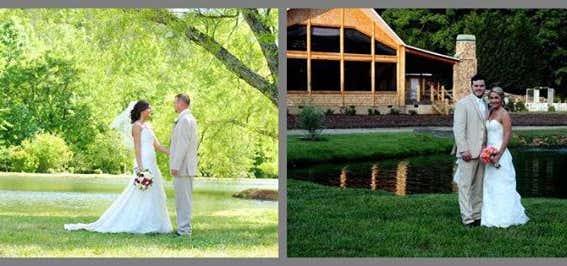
{"x":136,"y":211}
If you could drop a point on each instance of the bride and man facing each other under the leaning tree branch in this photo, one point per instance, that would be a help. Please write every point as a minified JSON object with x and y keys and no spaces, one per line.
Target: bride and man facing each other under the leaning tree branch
{"x":145,"y":211}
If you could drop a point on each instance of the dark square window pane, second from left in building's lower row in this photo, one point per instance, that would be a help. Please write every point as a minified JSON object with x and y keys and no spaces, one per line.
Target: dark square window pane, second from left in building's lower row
{"x":326,"y":75}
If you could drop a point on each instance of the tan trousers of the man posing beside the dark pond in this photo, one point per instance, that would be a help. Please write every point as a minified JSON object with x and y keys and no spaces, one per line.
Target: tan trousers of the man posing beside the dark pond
{"x":470,"y":189}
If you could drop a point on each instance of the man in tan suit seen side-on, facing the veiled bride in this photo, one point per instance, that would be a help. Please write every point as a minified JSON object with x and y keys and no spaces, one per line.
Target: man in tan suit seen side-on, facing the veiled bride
{"x":183,"y":161}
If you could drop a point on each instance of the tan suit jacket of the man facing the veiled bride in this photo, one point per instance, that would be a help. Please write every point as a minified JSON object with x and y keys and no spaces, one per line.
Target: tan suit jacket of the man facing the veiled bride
{"x":184,"y":145}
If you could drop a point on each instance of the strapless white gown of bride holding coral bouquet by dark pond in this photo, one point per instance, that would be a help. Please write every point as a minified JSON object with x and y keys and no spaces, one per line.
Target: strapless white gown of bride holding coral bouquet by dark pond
{"x":501,"y":203}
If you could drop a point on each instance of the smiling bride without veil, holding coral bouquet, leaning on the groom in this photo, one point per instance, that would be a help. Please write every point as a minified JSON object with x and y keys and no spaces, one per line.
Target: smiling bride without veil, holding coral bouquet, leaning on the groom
{"x":501,"y":203}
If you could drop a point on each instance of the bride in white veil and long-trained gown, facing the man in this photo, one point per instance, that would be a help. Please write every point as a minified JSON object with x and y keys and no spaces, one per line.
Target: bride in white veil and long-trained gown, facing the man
{"x":136,"y":211}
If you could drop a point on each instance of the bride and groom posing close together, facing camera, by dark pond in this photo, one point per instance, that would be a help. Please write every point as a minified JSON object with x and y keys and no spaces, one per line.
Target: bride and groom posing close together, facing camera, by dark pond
{"x":487,"y":191}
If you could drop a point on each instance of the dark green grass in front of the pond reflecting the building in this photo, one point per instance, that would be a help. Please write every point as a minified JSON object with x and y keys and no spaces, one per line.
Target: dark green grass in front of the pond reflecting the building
{"x":363,"y":223}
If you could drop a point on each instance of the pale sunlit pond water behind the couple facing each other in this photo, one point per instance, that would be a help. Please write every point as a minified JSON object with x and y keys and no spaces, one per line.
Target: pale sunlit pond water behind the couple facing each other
{"x":100,"y":191}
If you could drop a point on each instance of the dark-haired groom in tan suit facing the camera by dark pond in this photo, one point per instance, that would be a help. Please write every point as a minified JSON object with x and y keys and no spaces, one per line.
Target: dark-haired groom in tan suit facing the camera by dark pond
{"x":469,"y":128}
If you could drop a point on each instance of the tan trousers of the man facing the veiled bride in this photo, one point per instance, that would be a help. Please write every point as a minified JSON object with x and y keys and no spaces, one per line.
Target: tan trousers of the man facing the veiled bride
{"x":183,"y":190}
